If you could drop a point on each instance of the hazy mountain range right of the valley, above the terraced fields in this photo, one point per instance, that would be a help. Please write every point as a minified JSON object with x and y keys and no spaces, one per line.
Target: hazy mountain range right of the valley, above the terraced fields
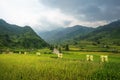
{"x":107,"y":34}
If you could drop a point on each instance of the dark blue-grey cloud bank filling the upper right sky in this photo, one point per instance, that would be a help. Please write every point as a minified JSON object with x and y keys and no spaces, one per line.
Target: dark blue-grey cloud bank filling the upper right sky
{"x":93,"y":10}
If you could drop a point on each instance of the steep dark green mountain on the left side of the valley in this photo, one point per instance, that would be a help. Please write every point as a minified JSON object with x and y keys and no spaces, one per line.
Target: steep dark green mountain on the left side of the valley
{"x":13,"y":36}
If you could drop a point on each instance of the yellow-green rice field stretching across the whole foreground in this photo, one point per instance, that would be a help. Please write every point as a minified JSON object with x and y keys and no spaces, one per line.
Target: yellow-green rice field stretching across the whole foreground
{"x":73,"y":66}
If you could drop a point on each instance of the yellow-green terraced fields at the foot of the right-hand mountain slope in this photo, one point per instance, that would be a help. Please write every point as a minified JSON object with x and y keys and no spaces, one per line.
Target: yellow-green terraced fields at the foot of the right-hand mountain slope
{"x":90,"y":47}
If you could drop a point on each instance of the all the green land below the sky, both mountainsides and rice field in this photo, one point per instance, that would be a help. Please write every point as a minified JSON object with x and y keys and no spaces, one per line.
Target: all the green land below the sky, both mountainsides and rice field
{"x":19,"y":46}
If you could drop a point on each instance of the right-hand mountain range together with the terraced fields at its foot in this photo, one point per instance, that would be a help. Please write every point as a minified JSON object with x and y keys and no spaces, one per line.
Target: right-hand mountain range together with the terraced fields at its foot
{"x":103,"y":38}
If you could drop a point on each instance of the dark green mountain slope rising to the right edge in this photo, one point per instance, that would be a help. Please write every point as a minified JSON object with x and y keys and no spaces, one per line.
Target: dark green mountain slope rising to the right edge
{"x":107,"y":34}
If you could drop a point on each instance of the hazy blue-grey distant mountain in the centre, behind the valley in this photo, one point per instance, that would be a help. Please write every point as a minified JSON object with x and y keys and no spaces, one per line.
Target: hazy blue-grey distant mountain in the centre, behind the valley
{"x":65,"y":34}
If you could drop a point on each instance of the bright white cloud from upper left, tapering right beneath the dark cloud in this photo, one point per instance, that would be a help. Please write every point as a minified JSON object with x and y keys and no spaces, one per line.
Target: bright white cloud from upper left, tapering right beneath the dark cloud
{"x":37,"y":15}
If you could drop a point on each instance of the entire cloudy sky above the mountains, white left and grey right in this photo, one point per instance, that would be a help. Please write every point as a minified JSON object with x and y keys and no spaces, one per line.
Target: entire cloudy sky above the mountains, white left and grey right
{"x":50,"y":14}
